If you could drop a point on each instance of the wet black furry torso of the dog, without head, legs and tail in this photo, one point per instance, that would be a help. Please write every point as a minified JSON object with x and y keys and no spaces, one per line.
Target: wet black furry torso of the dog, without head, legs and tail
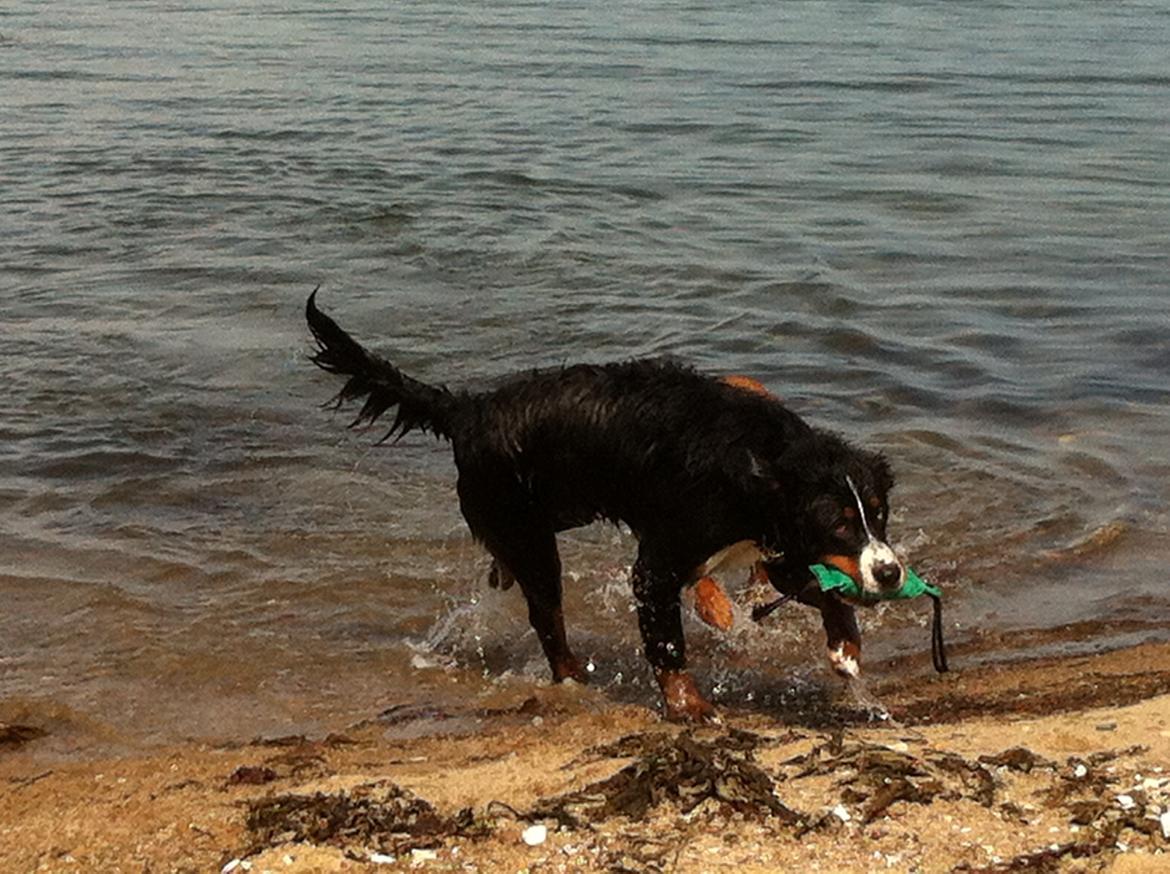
{"x":639,"y":442}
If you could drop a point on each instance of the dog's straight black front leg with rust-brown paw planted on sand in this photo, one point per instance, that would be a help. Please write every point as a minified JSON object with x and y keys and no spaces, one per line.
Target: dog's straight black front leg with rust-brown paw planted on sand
{"x":660,"y":622}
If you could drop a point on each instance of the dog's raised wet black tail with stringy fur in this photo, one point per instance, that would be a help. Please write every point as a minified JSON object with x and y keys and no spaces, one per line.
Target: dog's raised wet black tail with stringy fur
{"x":421,"y":407}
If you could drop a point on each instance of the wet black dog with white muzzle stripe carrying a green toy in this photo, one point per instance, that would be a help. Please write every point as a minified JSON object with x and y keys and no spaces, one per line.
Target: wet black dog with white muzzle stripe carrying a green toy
{"x":692,"y":464}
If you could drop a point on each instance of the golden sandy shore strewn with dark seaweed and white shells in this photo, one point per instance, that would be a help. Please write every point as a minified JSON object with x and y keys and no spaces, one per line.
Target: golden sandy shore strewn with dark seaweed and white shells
{"x":1057,"y":765}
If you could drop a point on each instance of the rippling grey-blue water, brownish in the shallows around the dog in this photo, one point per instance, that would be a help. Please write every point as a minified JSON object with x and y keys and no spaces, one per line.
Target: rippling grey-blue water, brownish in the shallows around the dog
{"x":942,"y":230}
